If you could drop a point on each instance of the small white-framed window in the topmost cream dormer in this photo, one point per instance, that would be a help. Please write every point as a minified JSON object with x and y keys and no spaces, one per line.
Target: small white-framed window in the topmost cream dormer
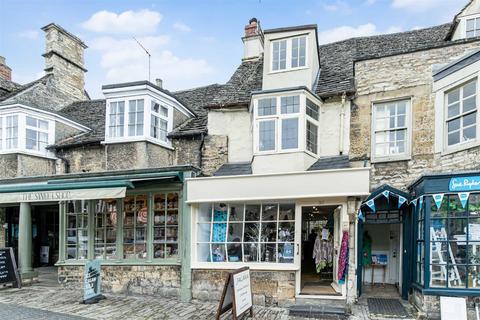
{"x":296,"y":47}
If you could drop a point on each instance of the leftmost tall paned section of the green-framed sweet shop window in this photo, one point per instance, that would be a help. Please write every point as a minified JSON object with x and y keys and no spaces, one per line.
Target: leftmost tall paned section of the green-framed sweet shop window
{"x":77,"y":230}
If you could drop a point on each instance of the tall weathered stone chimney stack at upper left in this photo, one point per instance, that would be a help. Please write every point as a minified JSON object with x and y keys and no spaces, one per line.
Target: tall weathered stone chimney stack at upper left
{"x":64,"y":58}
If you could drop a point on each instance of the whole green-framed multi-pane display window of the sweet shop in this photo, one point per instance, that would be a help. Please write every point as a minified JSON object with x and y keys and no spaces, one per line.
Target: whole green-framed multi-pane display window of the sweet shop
{"x":146,"y":229}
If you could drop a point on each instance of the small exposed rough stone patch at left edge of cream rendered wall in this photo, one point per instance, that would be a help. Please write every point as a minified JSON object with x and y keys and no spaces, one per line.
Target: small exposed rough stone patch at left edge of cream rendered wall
{"x":215,"y":153}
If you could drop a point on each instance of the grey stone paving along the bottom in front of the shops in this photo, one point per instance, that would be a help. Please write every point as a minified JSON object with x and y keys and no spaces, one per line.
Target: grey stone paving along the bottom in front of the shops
{"x":63,"y":304}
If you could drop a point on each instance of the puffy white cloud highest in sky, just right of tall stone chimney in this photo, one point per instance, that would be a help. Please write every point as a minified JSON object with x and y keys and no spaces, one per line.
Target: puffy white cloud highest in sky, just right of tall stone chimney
{"x":133,"y":22}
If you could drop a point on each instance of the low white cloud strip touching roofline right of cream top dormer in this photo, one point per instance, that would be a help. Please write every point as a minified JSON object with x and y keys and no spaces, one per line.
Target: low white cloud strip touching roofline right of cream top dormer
{"x":345,"y":32}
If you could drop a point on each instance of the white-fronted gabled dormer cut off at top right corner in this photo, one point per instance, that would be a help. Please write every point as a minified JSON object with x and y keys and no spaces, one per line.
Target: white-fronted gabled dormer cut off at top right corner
{"x":466,"y":23}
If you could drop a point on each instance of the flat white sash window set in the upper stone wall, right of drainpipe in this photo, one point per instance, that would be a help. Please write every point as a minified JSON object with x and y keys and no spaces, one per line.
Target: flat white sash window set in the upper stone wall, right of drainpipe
{"x":390,"y":129}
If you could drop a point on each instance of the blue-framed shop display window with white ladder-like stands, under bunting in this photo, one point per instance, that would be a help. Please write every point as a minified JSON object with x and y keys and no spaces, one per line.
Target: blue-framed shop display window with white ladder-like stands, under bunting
{"x":453,"y":232}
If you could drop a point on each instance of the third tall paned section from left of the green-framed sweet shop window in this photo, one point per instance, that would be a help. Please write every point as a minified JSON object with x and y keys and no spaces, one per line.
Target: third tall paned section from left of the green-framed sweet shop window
{"x":135,"y":227}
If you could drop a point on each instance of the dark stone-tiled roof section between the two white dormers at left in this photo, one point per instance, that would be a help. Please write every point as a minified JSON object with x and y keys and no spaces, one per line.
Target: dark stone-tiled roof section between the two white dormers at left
{"x":90,"y":113}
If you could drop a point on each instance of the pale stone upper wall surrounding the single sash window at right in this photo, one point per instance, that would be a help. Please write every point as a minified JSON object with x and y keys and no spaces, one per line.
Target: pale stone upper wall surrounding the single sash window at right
{"x":405,"y":76}
